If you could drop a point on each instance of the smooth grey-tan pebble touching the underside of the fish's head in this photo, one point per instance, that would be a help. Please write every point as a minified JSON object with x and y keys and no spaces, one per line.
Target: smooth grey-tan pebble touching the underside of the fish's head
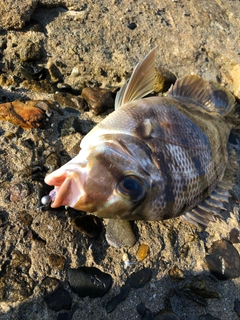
{"x":119,"y":233}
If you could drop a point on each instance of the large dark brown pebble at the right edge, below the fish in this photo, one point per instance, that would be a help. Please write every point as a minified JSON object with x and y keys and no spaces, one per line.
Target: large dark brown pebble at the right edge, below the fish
{"x":223,"y":260}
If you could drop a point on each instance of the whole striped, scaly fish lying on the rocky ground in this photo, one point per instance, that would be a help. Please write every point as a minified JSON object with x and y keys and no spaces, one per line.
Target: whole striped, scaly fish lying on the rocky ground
{"x":154,"y":157}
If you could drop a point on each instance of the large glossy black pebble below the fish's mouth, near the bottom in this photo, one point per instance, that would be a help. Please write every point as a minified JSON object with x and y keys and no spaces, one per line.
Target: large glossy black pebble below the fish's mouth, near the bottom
{"x":89,"y":281}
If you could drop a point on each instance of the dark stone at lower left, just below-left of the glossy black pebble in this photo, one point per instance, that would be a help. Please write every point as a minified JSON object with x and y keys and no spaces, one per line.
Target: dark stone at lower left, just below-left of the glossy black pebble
{"x":58,"y":300}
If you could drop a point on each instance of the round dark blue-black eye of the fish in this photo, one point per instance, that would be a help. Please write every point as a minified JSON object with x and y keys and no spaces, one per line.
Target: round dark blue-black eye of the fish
{"x":132,"y":187}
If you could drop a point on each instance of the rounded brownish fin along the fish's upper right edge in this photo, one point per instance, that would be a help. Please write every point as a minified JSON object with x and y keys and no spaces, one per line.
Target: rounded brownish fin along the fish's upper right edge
{"x":210,"y":95}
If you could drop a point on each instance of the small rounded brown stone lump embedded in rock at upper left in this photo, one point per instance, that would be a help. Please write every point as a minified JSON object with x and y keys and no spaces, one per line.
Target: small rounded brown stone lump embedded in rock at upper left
{"x":30,"y":51}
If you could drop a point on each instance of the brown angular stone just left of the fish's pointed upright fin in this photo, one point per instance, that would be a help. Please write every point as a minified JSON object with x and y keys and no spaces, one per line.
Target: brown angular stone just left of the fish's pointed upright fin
{"x":98,"y":100}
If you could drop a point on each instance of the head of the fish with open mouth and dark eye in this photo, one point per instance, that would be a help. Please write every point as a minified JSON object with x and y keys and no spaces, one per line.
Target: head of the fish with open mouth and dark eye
{"x":110,"y":178}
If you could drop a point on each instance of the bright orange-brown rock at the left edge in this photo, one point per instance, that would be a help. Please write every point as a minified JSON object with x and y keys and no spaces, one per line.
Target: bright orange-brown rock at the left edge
{"x":27,"y":115}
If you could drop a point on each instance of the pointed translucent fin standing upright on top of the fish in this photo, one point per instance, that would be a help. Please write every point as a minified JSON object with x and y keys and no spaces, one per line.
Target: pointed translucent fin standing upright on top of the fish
{"x":141,"y":83}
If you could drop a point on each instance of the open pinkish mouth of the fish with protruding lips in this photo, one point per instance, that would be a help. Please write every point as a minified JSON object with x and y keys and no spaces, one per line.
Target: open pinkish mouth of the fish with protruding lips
{"x":68,"y":186}
